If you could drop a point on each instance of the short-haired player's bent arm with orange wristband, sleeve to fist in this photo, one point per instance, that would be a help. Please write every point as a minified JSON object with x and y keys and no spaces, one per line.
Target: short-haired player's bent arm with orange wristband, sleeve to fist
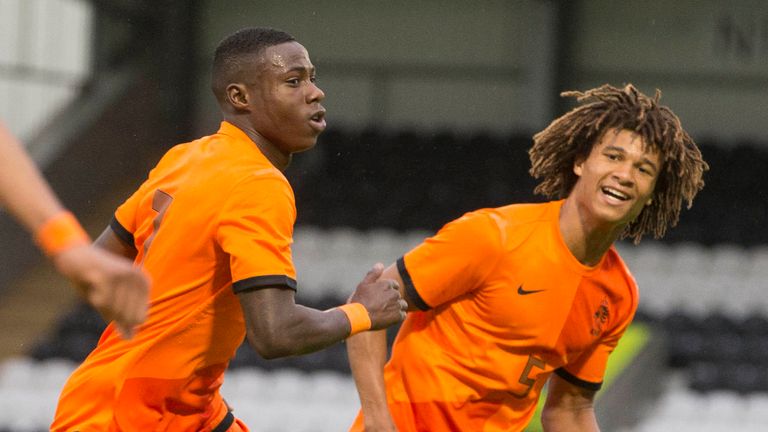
{"x":278,"y":327}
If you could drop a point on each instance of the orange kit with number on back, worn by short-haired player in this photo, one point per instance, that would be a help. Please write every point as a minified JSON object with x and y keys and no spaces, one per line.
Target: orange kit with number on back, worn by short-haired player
{"x":213,"y":218}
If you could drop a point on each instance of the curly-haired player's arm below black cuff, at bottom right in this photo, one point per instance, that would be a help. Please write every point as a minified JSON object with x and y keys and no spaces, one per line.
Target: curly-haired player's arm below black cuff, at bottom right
{"x":568,"y":408}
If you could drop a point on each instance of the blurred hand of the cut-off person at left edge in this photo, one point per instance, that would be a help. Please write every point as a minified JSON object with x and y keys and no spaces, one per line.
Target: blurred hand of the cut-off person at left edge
{"x":111,"y":284}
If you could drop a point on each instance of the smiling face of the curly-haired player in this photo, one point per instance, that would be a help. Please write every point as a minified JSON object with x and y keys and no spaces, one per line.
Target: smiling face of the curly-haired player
{"x":617,"y":179}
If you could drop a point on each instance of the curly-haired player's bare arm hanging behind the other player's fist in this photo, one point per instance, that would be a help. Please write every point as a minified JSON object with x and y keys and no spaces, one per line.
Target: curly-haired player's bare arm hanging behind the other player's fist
{"x":367,"y":354}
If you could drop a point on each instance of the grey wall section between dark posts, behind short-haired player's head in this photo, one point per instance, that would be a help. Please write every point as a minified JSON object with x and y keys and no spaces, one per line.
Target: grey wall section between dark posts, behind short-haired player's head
{"x":462,"y":65}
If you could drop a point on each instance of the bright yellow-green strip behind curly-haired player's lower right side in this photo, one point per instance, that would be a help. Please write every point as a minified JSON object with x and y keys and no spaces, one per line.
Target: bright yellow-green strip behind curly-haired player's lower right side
{"x":631,"y":343}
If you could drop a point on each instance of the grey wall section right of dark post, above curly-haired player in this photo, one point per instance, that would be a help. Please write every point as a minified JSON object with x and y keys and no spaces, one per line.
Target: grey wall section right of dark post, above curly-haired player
{"x":709,"y":57}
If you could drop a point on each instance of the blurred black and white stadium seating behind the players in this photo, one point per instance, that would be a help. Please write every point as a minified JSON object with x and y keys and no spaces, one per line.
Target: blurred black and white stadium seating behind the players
{"x":359,"y":204}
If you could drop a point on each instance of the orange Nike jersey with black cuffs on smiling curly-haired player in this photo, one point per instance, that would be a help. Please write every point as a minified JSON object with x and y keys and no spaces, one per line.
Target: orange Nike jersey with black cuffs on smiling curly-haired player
{"x":504,"y":305}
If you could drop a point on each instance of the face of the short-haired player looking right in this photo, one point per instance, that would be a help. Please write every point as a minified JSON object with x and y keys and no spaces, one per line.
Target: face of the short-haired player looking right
{"x":283,"y":99}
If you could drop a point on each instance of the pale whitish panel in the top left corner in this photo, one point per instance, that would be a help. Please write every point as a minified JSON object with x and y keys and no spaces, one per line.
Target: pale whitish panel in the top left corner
{"x":45,"y":56}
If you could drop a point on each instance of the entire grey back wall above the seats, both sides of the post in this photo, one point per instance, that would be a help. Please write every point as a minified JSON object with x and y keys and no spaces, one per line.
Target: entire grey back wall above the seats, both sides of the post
{"x":498,"y":65}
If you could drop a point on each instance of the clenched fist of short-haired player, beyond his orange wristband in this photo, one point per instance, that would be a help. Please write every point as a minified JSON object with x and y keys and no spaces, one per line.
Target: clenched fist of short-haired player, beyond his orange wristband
{"x":381,"y":297}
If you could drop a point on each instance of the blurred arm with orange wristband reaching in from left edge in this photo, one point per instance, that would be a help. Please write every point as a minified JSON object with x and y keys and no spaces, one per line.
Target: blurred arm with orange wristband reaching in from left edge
{"x":111,"y":284}
